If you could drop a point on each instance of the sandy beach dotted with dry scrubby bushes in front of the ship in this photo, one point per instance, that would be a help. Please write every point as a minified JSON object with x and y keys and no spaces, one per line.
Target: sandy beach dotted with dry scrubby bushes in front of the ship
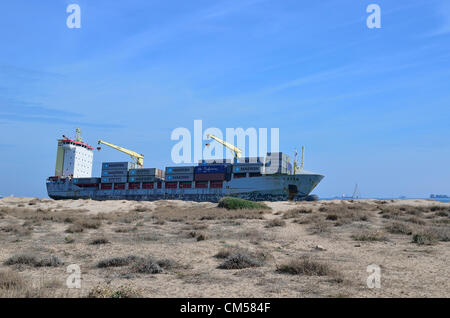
{"x":189,"y":243}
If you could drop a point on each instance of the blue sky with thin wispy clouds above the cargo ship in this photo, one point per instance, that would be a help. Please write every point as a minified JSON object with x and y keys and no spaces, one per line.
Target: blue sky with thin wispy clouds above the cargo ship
{"x":371,"y":106}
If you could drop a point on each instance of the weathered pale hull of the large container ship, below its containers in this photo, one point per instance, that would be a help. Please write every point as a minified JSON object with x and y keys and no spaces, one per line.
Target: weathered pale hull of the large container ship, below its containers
{"x":263,"y":188}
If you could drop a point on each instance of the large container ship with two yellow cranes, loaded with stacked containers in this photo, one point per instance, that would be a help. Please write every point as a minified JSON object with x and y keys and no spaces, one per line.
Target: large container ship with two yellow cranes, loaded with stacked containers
{"x":269,"y":178}
